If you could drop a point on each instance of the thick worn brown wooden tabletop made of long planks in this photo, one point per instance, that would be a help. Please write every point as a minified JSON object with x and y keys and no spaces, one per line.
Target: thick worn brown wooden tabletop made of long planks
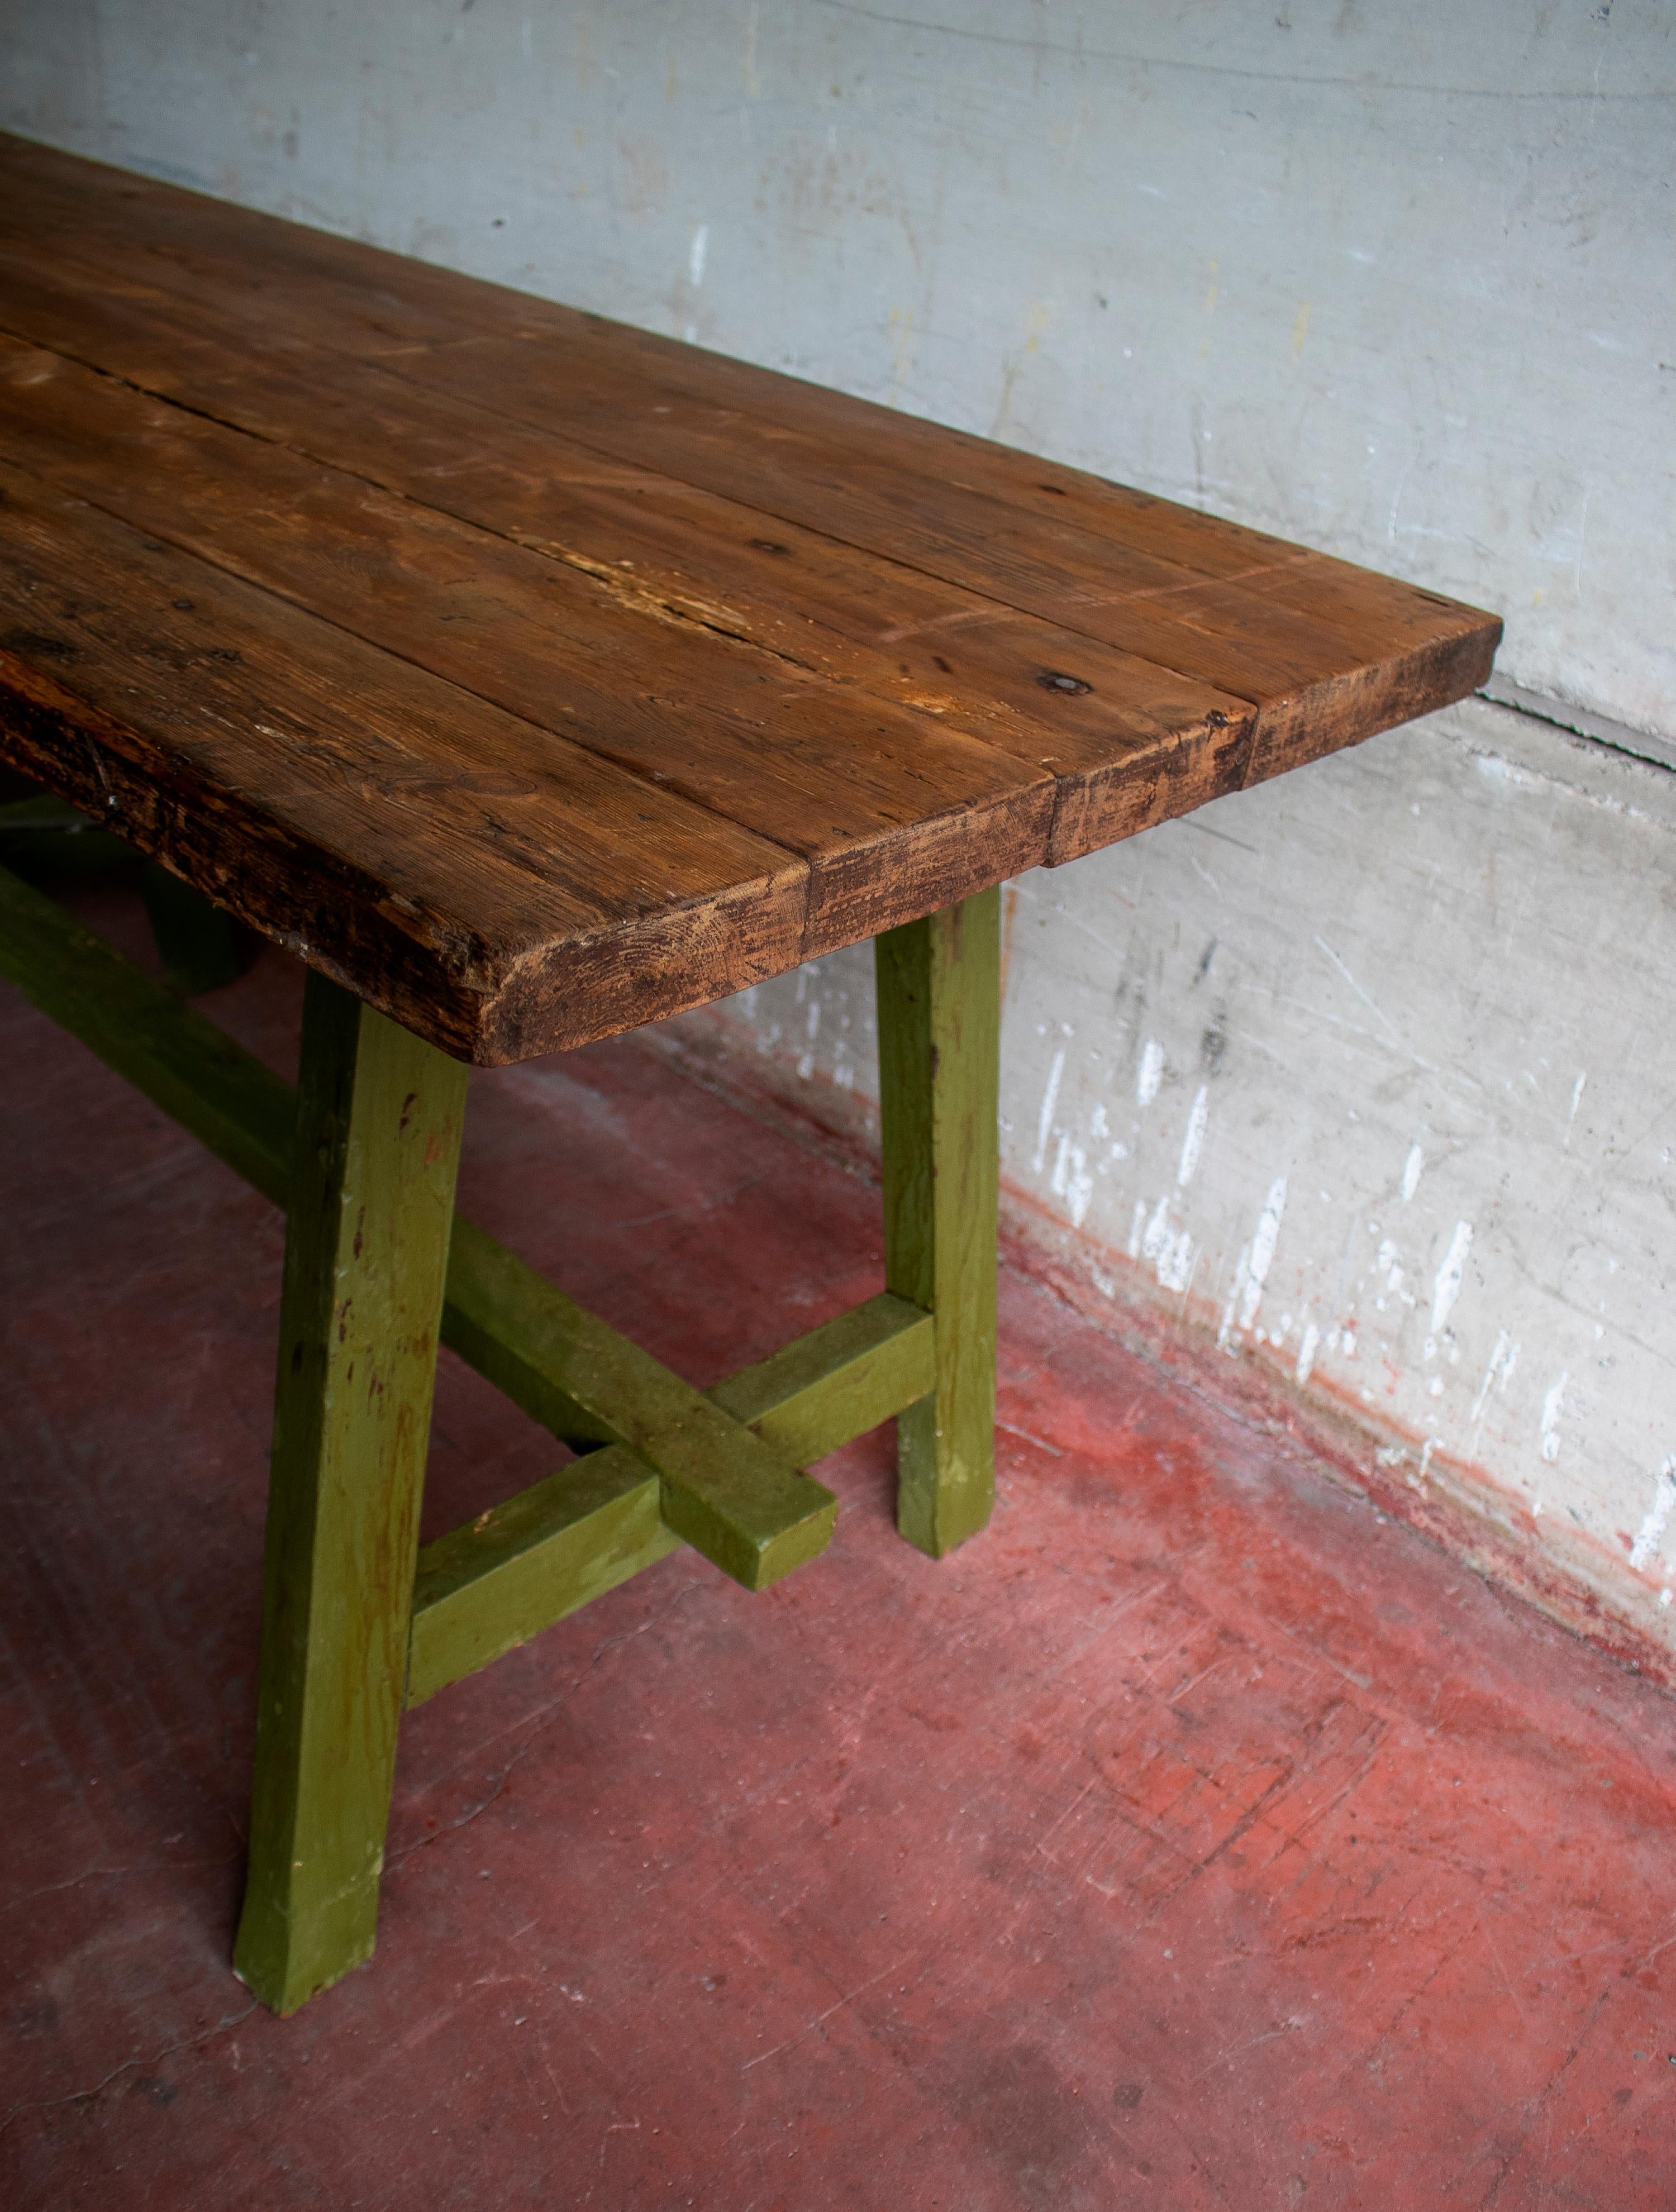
{"x":541,"y":678}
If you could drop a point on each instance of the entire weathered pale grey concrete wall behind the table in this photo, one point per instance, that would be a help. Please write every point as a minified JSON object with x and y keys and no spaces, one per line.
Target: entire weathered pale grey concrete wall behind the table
{"x":1365,"y":1074}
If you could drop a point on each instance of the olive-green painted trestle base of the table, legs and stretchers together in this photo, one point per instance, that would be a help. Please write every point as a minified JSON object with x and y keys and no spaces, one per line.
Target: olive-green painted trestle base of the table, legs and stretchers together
{"x":375,"y":1246}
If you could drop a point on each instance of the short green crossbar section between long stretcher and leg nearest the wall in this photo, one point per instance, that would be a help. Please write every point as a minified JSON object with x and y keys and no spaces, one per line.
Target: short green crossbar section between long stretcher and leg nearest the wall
{"x":835,"y":1384}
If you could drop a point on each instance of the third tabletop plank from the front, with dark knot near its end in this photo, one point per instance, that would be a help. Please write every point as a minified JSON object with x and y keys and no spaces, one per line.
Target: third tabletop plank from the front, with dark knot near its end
{"x":658,"y":550}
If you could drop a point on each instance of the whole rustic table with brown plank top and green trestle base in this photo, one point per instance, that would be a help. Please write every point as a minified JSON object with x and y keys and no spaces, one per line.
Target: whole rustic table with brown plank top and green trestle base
{"x":534,"y":678}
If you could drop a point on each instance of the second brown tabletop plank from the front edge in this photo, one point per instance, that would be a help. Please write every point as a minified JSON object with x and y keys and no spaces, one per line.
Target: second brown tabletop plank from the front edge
{"x":742,"y":733}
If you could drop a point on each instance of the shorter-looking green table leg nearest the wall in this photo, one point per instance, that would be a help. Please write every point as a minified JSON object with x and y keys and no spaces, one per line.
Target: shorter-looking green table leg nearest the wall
{"x":939,"y":1043}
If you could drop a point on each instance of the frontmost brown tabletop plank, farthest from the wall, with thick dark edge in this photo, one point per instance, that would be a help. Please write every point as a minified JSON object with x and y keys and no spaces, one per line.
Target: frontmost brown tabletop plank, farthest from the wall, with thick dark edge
{"x":490,"y":884}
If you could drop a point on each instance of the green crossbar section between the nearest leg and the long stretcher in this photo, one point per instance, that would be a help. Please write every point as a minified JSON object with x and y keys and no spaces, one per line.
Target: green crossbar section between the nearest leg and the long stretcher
{"x":532,"y":1561}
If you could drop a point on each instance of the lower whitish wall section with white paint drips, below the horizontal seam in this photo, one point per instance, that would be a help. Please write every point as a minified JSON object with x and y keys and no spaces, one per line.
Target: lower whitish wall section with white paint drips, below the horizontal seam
{"x":1370,"y":1076}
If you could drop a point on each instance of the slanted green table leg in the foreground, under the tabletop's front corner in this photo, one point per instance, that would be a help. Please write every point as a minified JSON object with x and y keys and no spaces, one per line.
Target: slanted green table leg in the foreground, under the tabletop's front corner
{"x":366,"y":1258}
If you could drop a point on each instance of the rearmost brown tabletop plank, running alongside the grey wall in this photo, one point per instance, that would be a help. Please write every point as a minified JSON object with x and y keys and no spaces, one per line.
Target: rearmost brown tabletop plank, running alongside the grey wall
{"x":959,"y":501}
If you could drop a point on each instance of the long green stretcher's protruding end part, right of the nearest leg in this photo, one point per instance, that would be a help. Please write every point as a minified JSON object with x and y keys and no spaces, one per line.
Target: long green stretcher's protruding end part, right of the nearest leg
{"x":724,"y":1490}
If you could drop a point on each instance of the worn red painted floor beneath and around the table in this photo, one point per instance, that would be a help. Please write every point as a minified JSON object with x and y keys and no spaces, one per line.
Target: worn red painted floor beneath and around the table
{"x":1193,"y":1839}
